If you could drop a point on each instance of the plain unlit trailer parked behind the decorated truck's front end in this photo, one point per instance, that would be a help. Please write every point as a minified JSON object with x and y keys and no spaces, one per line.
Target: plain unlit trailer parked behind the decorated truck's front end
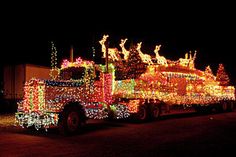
{"x":14,"y":78}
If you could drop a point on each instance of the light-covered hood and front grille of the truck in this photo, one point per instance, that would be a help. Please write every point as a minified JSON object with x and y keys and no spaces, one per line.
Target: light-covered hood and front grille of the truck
{"x":38,"y":93}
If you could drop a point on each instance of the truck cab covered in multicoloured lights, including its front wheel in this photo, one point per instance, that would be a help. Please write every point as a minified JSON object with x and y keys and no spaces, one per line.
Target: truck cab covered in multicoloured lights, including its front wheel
{"x":82,"y":90}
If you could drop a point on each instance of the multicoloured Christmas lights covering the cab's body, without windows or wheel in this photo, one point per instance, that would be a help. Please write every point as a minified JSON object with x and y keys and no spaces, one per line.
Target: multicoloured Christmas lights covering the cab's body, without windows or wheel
{"x":45,"y":97}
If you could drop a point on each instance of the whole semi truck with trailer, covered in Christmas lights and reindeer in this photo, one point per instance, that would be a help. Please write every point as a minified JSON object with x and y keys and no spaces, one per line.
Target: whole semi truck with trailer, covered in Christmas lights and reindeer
{"x":129,"y":83}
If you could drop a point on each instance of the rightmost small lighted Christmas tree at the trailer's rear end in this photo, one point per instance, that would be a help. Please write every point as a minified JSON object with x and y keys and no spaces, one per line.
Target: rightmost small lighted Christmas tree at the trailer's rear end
{"x":222,"y":76}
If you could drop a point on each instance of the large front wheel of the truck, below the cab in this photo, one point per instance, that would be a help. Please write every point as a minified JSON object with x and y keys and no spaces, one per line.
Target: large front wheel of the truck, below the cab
{"x":70,"y":120}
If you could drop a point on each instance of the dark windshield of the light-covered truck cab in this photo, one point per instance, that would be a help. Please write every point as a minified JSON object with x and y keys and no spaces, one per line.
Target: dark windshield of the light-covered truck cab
{"x":74,"y":73}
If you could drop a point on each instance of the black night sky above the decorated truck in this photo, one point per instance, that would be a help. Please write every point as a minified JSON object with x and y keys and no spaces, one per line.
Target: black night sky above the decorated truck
{"x":207,"y":28}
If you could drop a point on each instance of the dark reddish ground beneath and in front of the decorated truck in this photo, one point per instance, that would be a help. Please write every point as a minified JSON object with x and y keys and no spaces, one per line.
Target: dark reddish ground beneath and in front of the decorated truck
{"x":177,"y":135}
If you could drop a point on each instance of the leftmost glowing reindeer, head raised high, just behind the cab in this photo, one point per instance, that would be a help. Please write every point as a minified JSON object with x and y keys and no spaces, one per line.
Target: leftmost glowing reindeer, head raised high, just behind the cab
{"x":111,"y":51}
